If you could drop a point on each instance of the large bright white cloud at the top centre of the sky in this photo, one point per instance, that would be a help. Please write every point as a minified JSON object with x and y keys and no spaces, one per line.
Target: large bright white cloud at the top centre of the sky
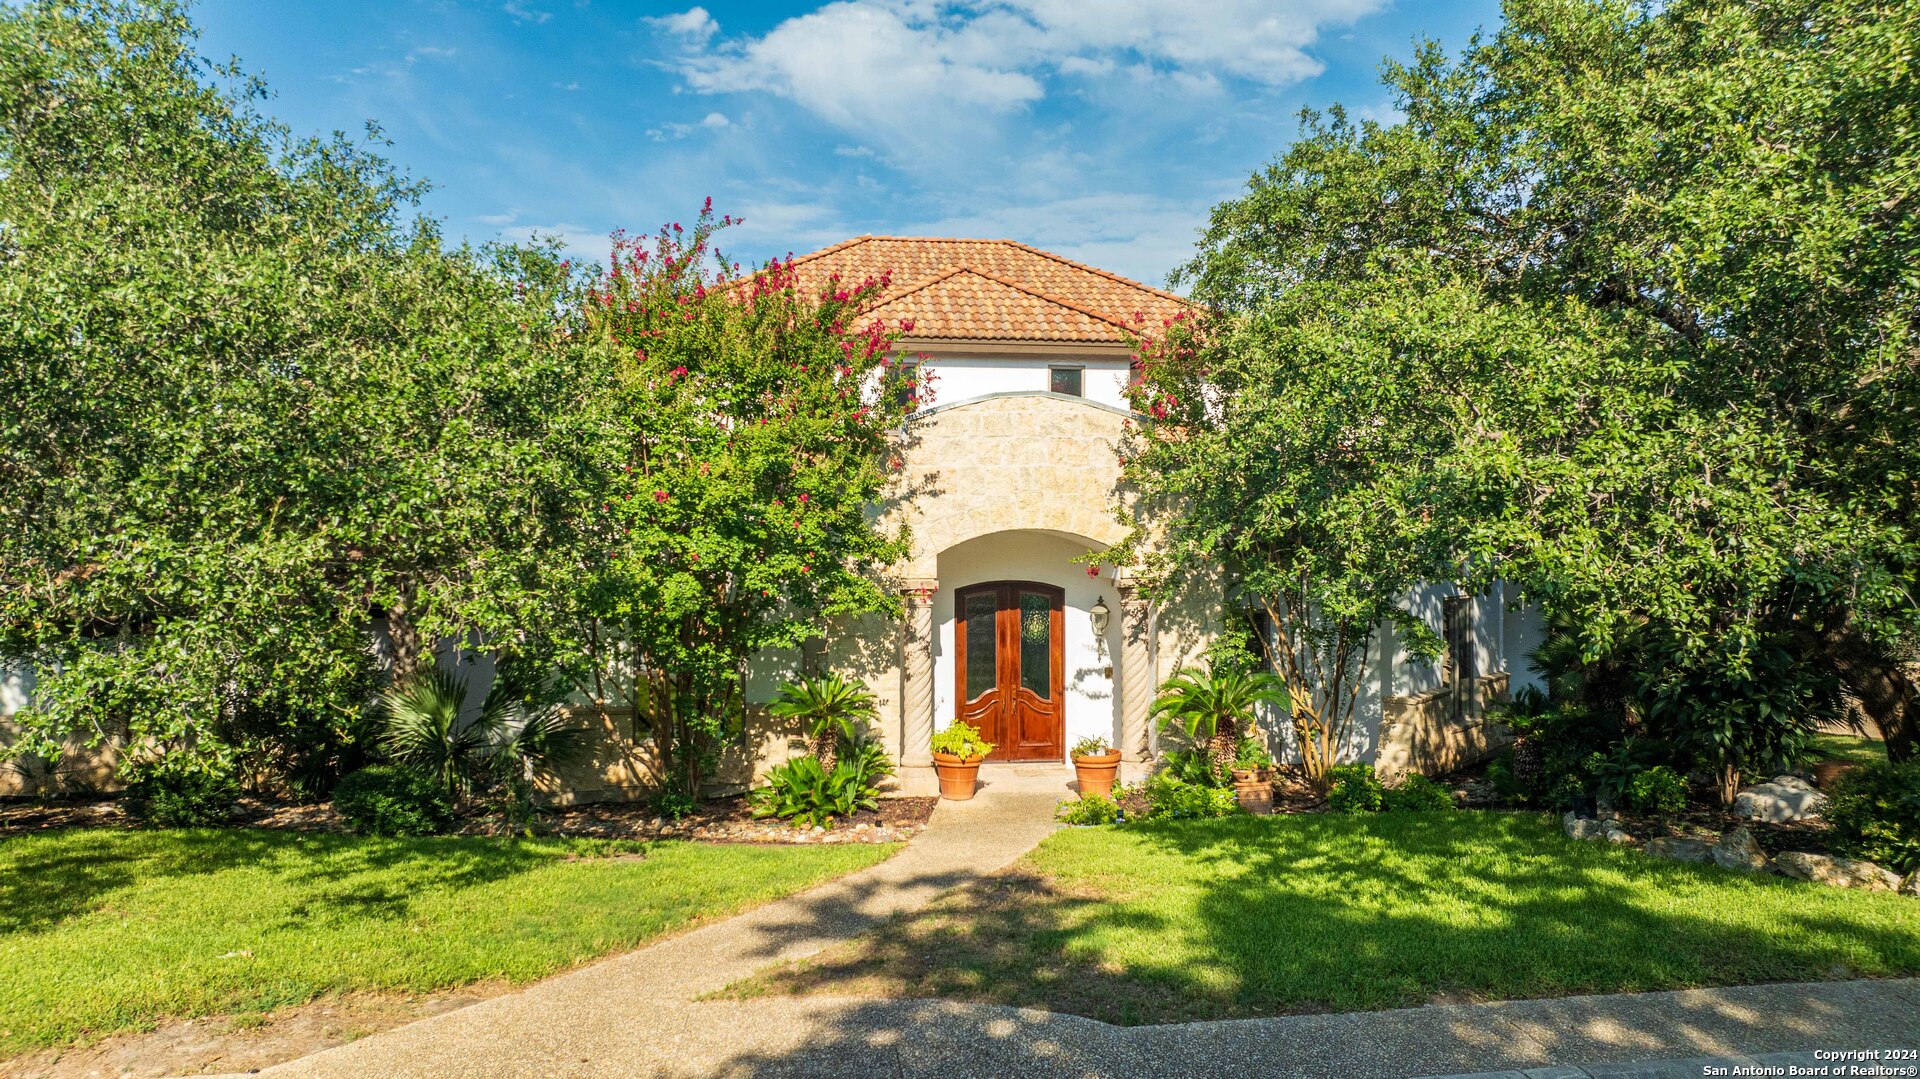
{"x":907,"y":64}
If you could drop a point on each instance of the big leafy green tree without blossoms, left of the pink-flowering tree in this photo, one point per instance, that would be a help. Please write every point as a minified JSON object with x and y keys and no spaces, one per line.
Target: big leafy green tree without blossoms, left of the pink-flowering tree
{"x":249,"y":404}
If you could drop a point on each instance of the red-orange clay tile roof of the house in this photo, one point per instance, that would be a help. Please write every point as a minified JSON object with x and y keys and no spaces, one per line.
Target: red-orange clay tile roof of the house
{"x":990,"y":291}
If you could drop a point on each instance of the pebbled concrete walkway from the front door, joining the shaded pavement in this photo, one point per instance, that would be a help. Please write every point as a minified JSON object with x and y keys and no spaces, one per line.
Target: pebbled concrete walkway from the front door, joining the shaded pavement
{"x":636,"y":1015}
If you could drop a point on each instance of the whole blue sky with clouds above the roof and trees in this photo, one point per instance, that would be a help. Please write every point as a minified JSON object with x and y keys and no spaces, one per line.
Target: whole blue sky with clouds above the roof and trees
{"x":1101,"y":130}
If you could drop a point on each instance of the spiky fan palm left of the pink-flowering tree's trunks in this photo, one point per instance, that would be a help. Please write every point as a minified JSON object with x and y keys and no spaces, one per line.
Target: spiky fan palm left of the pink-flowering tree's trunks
{"x":517,"y":729}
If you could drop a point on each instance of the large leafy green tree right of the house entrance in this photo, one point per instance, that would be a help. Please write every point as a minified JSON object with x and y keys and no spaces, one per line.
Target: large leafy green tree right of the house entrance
{"x":1669,"y":373}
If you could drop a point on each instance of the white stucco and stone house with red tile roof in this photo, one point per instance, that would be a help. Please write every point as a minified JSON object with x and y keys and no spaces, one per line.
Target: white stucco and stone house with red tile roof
{"x":1011,"y":483}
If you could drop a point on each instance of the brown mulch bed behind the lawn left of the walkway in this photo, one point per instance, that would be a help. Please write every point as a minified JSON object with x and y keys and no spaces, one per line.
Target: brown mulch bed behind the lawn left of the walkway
{"x":721,"y":821}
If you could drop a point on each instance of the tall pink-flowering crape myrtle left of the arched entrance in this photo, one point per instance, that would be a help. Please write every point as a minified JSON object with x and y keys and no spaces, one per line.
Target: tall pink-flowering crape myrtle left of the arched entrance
{"x":756,"y":431}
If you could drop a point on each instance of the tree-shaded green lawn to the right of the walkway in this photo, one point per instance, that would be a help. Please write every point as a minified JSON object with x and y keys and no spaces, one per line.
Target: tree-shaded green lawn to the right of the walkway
{"x":1257,"y":917}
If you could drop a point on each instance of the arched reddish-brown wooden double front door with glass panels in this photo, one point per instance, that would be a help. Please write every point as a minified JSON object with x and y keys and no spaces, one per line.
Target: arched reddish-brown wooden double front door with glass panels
{"x":1009,"y":663}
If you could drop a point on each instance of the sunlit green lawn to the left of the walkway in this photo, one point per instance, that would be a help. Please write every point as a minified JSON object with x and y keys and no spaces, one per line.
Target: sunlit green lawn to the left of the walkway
{"x":112,"y":930}
